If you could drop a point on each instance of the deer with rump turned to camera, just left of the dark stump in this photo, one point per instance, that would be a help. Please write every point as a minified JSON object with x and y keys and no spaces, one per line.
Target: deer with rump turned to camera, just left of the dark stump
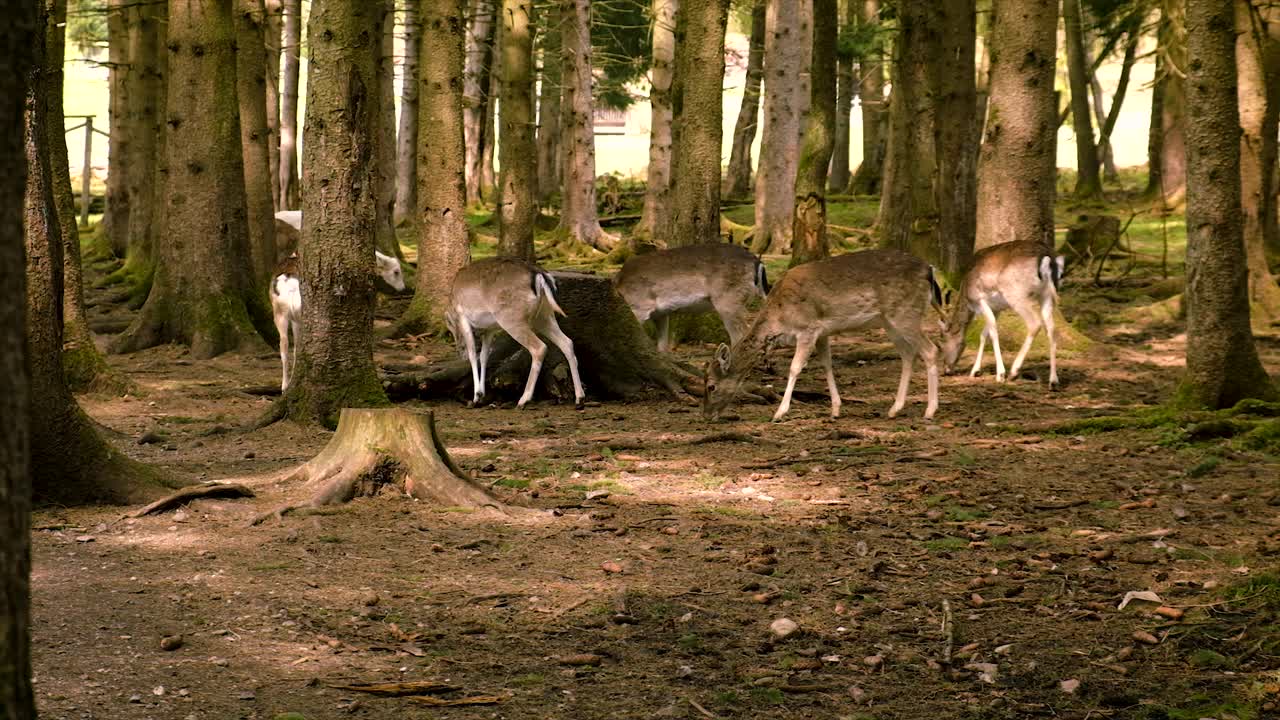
{"x":502,"y":294}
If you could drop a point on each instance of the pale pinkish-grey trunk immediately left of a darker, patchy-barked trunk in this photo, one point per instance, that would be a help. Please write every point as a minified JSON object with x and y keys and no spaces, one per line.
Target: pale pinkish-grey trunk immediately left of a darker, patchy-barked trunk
{"x":788,"y":48}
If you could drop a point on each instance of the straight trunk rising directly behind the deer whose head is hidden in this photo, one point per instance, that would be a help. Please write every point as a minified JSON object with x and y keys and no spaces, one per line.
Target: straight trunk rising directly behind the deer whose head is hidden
{"x":697,"y":149}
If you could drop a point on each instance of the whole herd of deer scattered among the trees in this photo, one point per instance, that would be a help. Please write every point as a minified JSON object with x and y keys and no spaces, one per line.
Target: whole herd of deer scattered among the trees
{"x":815,"y":302}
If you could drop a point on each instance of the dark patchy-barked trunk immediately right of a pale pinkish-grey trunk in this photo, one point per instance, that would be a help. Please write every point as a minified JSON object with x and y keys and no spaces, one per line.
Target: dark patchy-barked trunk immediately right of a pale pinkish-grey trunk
{"x":810,"y":226}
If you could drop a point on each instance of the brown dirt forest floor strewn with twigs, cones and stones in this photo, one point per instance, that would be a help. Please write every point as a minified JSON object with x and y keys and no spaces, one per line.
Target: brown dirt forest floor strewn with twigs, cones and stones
{"x":971,"y":567}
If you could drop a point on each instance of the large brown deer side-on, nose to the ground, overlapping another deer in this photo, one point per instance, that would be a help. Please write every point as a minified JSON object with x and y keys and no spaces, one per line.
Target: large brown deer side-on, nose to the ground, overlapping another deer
{"x":817,"y":300}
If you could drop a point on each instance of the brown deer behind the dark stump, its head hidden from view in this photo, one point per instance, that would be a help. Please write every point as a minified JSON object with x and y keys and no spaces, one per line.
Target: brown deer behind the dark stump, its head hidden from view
{"x":700,"y":279}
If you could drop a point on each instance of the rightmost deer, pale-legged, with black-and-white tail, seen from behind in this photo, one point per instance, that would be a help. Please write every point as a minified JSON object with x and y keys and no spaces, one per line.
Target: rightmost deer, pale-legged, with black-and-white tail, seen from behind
{"x":1013,"y":275}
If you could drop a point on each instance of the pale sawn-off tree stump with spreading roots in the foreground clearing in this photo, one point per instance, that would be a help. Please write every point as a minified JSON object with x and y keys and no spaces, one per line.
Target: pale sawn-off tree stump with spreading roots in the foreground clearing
{"x":376,"y":448}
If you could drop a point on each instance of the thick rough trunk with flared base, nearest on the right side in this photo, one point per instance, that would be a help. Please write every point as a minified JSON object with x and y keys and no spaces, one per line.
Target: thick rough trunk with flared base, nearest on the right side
{"x":1223,"y":364}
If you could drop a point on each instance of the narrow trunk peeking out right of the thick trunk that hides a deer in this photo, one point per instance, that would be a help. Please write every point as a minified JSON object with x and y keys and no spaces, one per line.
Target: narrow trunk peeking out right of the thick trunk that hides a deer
{"x":385,"y":218}
